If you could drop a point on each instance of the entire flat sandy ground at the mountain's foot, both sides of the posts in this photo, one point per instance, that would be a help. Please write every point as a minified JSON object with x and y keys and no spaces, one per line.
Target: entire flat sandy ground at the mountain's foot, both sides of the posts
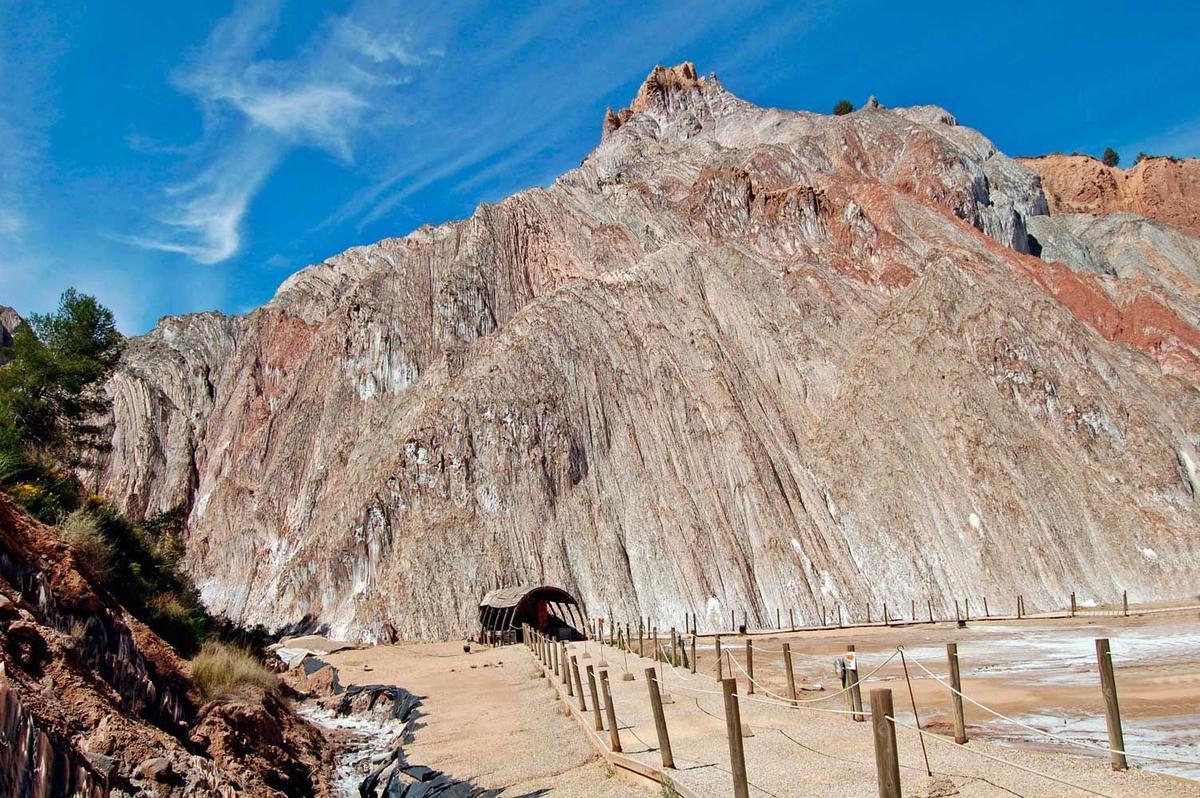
{"x":494,"y":722}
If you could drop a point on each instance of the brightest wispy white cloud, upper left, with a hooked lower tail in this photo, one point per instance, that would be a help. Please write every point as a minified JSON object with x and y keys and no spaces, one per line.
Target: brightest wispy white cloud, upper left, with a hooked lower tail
{"x":334,"y":91}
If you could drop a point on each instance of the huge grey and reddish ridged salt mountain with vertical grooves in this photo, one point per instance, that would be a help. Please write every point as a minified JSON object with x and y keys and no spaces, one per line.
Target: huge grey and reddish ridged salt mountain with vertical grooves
{"x":741,"y":358}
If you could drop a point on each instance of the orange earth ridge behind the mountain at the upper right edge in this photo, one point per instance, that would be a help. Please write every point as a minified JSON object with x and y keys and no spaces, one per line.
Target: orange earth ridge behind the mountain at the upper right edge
{"x":1167,"y":190}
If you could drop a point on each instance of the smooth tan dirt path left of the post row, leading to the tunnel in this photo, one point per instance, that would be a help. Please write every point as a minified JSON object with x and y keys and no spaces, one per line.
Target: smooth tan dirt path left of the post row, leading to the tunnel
{"x":489,"y":719}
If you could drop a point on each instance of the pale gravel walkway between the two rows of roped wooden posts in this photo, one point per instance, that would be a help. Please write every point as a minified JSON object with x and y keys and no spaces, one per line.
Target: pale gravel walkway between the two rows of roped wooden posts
{"x":817,"y":753}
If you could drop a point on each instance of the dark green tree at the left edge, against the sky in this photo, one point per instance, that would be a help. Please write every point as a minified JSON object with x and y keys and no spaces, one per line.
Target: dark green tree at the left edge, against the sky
{"x":50,"y":389}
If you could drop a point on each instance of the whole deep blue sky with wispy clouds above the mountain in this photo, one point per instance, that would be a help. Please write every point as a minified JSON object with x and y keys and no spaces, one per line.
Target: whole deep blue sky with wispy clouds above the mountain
{"x":178,"y":158}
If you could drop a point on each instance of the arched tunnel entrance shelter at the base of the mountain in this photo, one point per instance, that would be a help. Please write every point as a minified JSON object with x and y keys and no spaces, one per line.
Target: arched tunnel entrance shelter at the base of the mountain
{"x":548,"y":609}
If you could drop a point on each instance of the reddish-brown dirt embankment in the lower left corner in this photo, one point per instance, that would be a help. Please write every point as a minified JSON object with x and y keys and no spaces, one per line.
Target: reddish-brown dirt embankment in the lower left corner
{"x":94,"y":701}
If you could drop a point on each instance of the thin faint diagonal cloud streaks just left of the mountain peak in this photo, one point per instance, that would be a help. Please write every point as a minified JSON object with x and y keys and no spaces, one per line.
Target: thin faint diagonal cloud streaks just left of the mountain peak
{"x":526,"y":110}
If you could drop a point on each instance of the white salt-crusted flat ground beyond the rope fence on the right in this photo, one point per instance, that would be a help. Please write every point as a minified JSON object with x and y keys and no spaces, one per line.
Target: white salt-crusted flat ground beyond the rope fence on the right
{"x":1042,"y":673}
